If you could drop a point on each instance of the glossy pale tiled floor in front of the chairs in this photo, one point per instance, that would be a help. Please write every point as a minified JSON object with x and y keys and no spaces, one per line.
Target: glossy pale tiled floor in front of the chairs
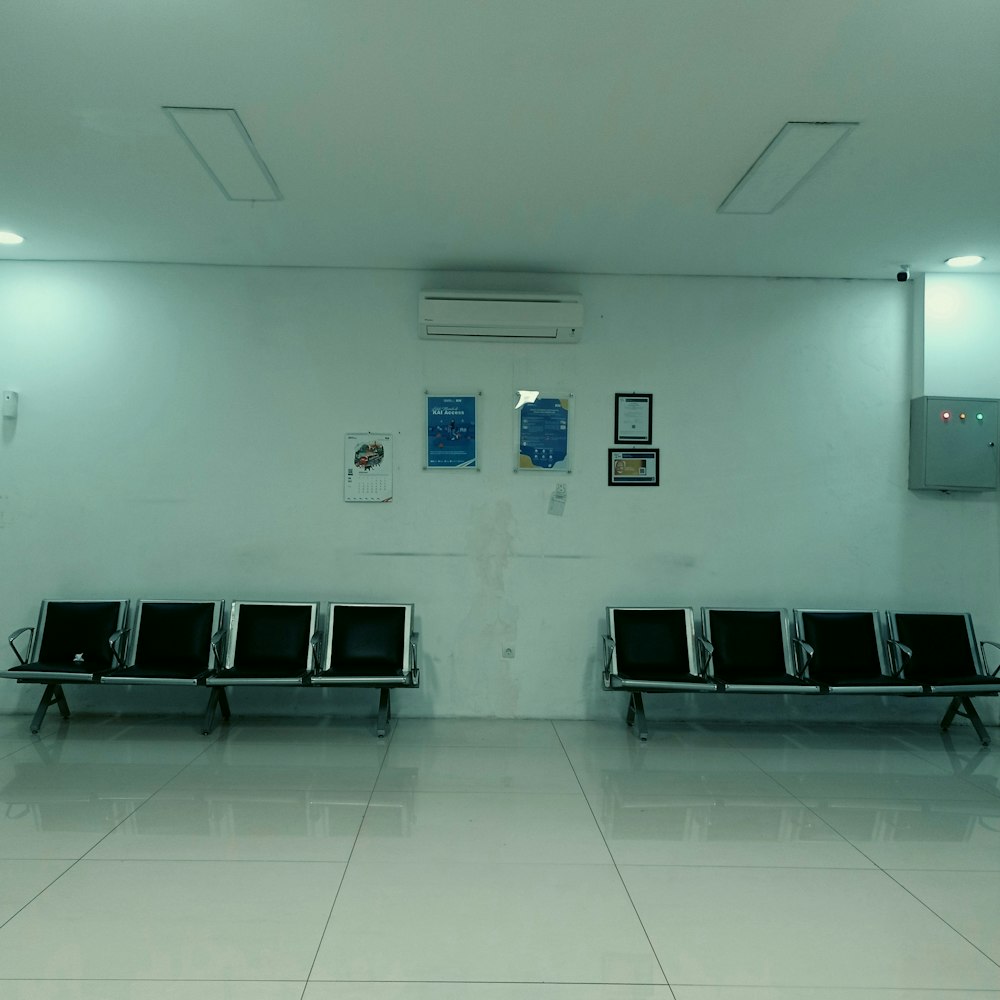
{"x":496,"y":860}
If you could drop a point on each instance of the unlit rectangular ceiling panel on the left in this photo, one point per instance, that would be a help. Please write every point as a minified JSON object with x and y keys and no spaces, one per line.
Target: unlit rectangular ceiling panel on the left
{"x":222,"y":145}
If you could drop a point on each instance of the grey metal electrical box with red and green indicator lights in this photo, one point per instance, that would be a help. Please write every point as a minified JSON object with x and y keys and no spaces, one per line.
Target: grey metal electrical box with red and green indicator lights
{"x":953,"y":443}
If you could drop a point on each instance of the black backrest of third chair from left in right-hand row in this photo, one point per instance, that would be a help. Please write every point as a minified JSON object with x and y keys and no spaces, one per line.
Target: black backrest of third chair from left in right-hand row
{"x":847,"y":645}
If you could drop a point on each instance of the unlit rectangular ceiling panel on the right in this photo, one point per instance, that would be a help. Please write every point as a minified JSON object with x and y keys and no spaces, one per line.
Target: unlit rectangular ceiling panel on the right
{"x":791,"y":156}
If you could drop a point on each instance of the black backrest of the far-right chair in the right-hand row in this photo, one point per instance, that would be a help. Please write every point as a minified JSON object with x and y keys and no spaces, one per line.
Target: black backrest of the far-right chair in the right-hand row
{"x":943,"y":645}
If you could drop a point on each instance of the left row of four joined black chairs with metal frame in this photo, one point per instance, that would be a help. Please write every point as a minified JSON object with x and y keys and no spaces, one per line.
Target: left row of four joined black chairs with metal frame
{"x":176,"y":642}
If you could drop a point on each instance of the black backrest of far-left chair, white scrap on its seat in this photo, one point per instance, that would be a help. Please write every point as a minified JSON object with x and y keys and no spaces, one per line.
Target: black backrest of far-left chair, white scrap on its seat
{"x":69,"y":630}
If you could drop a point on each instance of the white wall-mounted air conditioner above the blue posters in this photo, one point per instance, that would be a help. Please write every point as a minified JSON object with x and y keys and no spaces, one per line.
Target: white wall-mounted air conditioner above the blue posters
{"x":512,"y":317}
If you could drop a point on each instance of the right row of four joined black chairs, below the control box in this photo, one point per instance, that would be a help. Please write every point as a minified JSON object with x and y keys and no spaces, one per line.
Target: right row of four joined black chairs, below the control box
{"x":819,"y":652}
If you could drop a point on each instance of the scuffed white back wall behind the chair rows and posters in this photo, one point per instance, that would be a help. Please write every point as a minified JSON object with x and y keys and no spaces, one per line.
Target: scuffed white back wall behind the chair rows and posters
{"x":181,"y":435}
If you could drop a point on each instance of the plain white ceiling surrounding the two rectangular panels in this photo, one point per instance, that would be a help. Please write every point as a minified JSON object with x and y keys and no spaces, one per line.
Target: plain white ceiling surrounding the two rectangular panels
{"x":591,"y":136}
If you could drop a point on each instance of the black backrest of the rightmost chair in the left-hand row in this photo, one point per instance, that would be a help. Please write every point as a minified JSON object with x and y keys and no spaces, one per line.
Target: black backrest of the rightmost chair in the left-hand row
{"x":368,"y":640}
